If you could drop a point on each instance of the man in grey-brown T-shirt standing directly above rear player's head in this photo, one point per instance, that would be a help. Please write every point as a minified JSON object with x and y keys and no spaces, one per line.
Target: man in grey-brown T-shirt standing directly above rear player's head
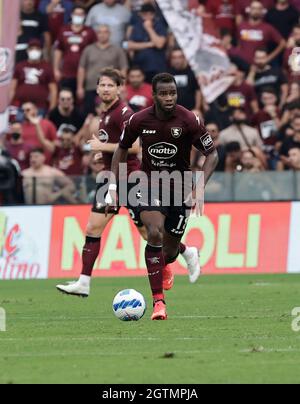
{"x":94,"y":58}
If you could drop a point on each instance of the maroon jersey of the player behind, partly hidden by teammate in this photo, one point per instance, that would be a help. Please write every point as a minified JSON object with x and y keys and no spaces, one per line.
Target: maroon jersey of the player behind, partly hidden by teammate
{"x":111,"y":126}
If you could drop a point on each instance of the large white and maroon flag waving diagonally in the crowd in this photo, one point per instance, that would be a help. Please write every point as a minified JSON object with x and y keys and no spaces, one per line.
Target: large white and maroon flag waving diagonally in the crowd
{"x":200,"y":41}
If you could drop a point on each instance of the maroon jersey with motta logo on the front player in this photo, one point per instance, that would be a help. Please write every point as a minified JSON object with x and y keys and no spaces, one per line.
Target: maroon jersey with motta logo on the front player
{"x":167,"y":144}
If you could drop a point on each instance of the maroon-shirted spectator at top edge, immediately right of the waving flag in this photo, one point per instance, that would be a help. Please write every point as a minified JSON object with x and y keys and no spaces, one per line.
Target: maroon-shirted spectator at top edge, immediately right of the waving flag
{"x":223,"y":12}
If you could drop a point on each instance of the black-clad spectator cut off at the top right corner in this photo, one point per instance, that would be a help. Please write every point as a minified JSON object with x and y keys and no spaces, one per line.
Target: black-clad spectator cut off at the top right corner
{"x":283,"y":17}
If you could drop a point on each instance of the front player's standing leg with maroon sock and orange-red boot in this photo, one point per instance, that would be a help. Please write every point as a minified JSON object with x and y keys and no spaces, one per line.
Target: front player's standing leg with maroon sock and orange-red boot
{"x":154,"y":223}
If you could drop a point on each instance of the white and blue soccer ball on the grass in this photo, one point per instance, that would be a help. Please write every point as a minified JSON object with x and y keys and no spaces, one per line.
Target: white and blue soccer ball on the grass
{"x":129,"y":305}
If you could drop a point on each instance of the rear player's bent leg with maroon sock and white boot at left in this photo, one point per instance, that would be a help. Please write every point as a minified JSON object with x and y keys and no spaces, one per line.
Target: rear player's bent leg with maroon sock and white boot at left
{"x":95,"y":228}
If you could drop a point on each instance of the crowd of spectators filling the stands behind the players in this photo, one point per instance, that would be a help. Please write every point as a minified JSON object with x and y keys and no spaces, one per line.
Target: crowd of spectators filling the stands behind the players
{"x":63,"y":45}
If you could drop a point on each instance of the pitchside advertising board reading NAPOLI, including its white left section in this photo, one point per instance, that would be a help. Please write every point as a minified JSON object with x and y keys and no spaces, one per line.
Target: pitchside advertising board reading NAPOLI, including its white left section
{"x":242,"y":238}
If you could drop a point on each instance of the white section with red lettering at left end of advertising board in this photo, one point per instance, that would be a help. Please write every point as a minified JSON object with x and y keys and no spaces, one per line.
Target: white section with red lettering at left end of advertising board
{"x":24,"y":242}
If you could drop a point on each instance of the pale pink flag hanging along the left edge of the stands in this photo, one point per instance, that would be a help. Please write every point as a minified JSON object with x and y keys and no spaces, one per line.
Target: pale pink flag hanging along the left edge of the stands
{"x":9,"y":26}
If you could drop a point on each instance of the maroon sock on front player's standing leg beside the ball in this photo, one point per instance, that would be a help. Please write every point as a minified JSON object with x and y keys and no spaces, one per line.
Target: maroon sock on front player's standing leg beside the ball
{"x":155,"y":265}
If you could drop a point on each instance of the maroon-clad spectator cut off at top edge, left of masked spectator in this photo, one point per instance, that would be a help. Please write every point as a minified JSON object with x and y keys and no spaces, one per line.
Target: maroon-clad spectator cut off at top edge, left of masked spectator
{"x":58,"y":13}
